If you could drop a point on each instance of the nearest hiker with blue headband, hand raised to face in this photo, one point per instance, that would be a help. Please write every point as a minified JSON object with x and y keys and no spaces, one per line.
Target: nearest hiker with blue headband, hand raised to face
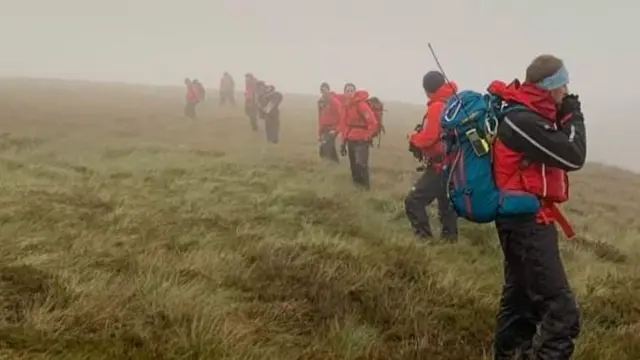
{"x":536,"y":145}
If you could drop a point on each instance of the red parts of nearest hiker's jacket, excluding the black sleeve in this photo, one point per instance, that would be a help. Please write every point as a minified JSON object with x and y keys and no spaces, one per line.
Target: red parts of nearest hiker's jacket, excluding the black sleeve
{"x":513,"y":172}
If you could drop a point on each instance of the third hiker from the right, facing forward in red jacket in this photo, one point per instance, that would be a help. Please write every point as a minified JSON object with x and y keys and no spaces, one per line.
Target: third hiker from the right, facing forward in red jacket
{"x":357,"y":129}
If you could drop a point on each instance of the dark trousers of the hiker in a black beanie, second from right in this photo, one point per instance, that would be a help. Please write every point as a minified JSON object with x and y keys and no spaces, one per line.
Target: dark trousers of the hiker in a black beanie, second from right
{"x":429,"y":187}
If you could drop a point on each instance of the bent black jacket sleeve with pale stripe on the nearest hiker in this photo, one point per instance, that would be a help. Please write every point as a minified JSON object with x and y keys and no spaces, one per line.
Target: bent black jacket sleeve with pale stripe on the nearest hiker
{"x":528,"y":133}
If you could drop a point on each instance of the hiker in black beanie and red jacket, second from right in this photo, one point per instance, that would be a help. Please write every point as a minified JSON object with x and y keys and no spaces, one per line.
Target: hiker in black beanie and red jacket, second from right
{"x":426,"y":143}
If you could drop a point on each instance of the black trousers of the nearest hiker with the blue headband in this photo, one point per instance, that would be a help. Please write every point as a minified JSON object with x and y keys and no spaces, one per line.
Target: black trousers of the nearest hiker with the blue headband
{"x":535,"y":294}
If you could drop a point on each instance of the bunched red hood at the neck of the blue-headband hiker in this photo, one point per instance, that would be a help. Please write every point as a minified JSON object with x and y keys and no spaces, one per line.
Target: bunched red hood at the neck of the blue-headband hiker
{"x":527,"y":94}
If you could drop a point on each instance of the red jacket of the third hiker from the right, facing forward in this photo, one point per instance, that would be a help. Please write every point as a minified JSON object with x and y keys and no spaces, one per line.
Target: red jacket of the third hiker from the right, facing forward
{"x":358,"y":121}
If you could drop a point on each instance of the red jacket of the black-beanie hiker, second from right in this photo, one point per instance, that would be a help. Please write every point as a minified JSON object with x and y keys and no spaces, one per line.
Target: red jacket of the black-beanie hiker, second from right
{"x":428,"y":139}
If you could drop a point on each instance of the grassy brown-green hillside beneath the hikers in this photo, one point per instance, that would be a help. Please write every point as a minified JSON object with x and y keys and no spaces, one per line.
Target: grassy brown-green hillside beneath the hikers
{"x":128,"y":232}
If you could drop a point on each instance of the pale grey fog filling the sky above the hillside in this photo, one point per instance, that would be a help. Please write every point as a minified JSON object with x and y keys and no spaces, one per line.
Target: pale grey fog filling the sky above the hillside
{"x":380,"y":45}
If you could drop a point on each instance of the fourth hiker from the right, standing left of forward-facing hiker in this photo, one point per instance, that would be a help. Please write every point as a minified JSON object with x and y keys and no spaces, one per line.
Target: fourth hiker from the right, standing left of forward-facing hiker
{"x":329,"y":117}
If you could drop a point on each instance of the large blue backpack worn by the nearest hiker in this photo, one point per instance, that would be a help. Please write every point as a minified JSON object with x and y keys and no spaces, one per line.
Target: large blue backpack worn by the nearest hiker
{"x":469,"y":123}
